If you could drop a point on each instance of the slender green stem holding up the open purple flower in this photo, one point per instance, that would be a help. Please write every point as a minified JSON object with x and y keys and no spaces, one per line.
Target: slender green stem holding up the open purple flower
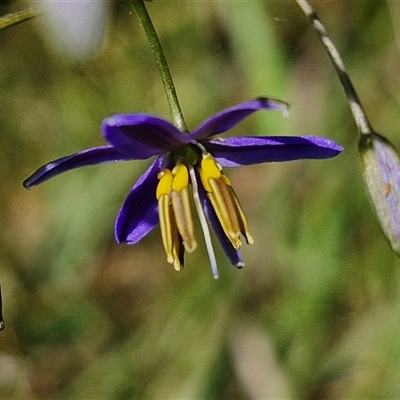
{"x":172,"y":98}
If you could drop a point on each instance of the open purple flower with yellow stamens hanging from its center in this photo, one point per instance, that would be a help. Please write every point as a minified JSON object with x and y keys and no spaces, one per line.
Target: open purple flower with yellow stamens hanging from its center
{"x":161,"y":195}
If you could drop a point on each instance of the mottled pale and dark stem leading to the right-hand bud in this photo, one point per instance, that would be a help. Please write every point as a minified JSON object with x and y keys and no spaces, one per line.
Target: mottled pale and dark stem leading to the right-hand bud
{"x":359,"y":115}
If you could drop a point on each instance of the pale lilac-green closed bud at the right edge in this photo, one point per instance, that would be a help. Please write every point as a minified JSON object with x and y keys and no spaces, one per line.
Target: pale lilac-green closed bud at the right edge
{"x":380,"y":164}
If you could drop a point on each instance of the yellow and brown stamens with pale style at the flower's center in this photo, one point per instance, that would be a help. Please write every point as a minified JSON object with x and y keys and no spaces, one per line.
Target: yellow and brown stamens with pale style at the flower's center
{"x":176,"y":222}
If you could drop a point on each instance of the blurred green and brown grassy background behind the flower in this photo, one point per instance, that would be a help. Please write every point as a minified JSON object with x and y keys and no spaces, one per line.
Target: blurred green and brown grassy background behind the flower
{"x":315,"y":313}
